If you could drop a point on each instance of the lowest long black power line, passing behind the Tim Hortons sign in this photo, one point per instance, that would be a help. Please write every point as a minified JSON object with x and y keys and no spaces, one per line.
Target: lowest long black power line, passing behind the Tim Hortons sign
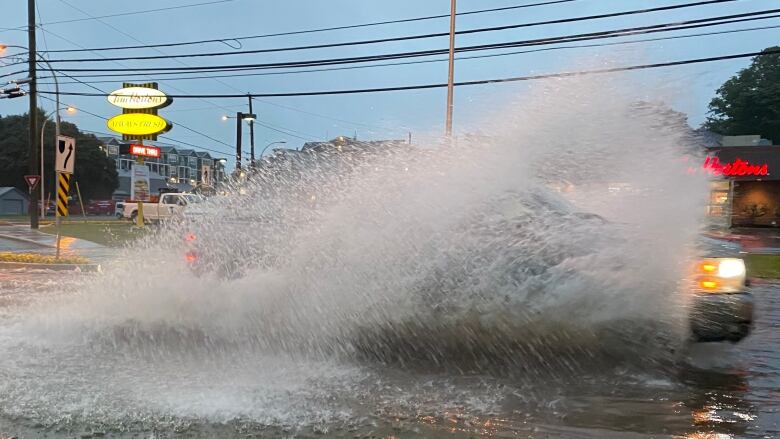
{"x":467,"y":83}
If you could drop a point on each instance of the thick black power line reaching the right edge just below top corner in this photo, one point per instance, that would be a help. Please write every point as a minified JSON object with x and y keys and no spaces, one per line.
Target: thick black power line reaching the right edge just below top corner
{"x":664,"y":27}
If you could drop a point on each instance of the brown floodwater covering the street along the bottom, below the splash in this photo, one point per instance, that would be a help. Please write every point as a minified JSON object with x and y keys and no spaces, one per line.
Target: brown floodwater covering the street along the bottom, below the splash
{"x":719,"y":392}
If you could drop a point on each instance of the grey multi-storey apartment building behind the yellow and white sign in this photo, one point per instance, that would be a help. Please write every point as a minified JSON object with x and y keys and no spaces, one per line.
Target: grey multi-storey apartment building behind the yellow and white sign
{"x":176,"y":168}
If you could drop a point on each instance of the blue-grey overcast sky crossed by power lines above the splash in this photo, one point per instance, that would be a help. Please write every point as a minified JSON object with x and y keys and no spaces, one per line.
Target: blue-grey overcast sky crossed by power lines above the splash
{"x":372,"y":116}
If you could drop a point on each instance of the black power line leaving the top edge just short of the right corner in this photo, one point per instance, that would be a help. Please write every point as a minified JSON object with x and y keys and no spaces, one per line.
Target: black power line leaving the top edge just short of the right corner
{"x":396,"y":39}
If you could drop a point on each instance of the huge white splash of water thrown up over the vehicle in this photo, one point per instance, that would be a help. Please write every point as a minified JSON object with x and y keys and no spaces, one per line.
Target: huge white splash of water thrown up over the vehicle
{"x":315,"y":278}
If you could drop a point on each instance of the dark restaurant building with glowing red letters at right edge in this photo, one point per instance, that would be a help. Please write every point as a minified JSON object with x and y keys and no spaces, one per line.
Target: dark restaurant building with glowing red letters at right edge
{"x":745,"y":190}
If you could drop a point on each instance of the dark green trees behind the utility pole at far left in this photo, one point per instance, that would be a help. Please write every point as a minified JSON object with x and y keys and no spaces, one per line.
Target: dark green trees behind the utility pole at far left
{"x":94,"y":171}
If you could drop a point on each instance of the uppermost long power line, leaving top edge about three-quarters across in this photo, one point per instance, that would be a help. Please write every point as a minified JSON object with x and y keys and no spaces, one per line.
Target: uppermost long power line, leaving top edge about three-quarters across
{"x":353,"y":26}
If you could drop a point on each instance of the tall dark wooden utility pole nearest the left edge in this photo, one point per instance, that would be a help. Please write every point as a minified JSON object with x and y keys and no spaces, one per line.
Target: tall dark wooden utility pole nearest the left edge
{"x":33,"y":151}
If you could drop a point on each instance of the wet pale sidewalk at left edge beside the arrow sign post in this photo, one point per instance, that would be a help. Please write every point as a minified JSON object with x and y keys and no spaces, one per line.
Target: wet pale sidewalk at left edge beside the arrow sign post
{"x":21,"y":238}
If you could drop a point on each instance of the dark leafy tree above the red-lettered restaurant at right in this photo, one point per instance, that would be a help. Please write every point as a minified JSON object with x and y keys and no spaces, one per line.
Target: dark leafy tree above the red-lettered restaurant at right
{"x":749,"y":102}
